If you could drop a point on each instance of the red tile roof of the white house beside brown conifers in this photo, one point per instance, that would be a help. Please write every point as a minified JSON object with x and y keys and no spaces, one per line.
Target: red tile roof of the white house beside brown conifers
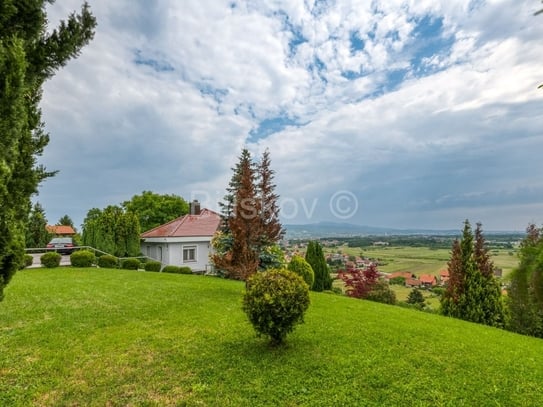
{"x":204,"y":224}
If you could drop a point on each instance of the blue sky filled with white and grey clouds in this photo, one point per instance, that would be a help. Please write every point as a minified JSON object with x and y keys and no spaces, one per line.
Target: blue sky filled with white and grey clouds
{"x":409,"y":114}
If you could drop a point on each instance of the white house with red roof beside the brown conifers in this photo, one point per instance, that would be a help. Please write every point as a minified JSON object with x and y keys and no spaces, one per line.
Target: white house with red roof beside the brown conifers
{"x":185,"y":241}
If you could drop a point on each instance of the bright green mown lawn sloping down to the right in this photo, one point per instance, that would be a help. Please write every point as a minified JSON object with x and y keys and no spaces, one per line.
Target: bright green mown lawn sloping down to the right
{"x":110,"y":337}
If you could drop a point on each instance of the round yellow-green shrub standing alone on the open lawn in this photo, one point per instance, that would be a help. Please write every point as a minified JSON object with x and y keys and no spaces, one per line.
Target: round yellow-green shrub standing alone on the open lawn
{"x":275,"y":301}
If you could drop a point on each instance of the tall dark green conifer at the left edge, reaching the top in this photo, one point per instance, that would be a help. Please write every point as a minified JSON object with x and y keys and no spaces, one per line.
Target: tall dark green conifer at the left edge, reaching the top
{"x":29,"y":55}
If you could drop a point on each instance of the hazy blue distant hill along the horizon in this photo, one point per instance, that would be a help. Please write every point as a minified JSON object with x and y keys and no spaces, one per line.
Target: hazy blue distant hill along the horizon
{"x":339,"y":229}
